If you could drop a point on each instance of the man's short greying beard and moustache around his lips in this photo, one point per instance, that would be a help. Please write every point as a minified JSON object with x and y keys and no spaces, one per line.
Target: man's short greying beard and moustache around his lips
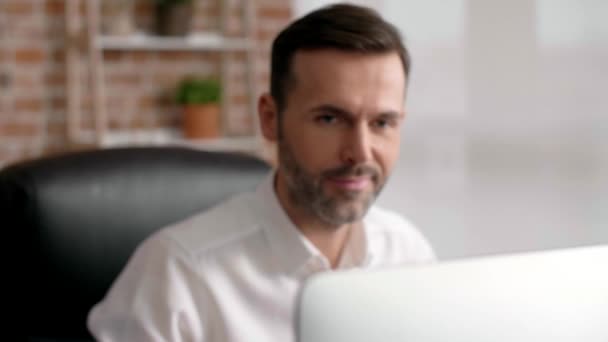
{"x":306,"y":191}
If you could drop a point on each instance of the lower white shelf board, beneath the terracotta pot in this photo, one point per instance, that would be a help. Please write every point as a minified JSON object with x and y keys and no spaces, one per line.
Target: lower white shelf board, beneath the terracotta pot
{"x":173,"y":137}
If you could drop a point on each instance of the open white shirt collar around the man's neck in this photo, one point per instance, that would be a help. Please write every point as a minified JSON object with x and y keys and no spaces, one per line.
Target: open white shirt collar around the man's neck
{"x":294,"y":252}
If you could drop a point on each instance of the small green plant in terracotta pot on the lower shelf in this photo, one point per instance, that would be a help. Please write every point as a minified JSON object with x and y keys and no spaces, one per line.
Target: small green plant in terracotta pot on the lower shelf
{"x":200,"y":99}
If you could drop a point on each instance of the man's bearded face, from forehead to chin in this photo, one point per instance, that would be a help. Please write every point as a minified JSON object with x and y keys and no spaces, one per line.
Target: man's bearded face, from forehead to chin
{"x":339,"y":134}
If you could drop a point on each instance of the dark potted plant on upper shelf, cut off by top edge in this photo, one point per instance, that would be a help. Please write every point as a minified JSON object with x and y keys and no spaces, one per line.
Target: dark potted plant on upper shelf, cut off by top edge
{"x":173,"y":17}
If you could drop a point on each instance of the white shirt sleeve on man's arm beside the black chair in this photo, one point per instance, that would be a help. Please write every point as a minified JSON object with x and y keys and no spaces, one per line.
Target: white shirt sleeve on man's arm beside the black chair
{"x":159,"y":296}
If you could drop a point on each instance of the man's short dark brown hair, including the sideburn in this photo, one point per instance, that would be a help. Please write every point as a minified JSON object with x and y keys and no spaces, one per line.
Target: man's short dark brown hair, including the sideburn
{"x":343,"y":27}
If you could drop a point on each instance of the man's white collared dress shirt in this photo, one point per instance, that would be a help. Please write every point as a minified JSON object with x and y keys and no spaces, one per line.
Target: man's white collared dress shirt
{"x":232,"y":273}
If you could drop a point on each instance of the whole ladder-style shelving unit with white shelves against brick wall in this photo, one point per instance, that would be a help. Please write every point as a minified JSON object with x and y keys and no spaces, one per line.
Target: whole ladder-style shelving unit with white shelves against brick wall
{"x":93,"y":43}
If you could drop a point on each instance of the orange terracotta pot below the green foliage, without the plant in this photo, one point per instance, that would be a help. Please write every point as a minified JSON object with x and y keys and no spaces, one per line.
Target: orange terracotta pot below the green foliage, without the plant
{"x":201,"y":121}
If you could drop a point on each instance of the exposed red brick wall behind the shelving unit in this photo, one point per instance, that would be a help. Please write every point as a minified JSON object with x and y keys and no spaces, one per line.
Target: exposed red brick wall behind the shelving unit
{"x":139,"y":84}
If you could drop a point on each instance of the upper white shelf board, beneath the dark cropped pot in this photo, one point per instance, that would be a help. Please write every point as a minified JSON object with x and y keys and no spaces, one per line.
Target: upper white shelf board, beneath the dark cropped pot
{"x":194,"y":42}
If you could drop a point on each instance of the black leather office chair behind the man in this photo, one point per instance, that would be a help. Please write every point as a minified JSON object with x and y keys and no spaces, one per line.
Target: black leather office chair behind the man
{"x":72,"y":221}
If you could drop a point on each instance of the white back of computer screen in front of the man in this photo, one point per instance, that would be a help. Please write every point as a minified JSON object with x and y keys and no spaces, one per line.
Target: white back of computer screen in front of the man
{"x":550,"y":296}
